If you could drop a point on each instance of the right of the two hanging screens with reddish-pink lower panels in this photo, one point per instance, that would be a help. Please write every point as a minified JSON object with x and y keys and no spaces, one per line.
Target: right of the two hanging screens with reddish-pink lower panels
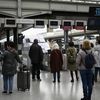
{"x":80,"y":25}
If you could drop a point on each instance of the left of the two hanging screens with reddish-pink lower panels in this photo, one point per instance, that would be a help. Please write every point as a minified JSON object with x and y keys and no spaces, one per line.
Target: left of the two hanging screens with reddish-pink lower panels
{"x":67,"y":24}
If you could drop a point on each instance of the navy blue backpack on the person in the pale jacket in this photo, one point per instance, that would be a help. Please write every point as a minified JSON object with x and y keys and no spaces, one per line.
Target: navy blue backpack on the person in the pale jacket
{"x":89,"y":60}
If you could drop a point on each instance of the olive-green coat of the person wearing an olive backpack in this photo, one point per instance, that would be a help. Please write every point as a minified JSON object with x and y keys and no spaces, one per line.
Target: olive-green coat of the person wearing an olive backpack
{"x":70,"y":66}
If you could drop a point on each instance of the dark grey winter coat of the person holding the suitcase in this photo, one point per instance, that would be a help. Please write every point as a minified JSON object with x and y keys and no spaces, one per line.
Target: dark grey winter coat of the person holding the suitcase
{"x":9,"y":62}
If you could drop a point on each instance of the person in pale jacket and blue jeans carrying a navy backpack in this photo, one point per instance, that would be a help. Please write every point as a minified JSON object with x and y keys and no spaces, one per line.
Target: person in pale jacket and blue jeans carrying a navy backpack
{"x":85,"y":73}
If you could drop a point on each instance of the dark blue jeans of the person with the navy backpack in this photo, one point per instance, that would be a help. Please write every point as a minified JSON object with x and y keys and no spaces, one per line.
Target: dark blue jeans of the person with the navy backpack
{"x":87,"y":80}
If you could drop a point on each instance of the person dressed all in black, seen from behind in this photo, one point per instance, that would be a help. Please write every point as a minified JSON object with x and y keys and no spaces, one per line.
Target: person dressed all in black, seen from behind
{"x":36,"y":57}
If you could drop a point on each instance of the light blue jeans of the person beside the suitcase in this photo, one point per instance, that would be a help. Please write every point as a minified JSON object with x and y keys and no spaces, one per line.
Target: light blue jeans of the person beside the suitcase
{"x":8,"y":82}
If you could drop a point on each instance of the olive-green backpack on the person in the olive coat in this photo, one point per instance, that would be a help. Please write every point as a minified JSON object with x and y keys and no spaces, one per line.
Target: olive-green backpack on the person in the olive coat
{"x":71,"y":56}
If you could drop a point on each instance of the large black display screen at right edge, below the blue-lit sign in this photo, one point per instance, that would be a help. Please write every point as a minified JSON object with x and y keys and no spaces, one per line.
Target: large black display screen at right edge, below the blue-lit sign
{"x":93,"y":24}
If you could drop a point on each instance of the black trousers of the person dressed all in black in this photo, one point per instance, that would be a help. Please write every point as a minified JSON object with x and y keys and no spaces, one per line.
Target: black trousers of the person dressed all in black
{"x":35,"y":71}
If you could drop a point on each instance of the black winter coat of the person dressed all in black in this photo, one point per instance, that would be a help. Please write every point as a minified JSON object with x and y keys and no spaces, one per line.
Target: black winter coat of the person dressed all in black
{"x":36,"y":54}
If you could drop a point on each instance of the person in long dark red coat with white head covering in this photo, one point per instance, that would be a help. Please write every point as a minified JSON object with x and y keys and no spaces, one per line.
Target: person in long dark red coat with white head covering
{"x":56,"y":62}
